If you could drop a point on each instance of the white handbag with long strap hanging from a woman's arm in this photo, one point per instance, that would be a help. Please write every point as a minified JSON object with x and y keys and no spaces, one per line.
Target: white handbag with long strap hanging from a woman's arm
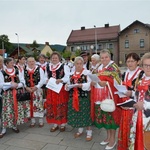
{"x":108,"y":105}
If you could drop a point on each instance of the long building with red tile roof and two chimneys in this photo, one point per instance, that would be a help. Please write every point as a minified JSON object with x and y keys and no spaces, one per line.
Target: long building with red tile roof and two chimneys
{"x":93,"y":40}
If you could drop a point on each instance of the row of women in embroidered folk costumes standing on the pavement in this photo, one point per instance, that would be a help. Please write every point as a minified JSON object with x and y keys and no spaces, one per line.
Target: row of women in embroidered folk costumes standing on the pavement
{"x":79,"y":106}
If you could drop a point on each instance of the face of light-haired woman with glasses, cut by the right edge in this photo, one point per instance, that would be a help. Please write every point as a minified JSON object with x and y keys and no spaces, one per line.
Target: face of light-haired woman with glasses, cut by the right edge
{"x":146,"y":67}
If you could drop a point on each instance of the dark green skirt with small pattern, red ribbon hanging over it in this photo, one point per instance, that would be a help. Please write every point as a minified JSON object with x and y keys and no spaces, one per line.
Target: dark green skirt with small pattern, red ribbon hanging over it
{"x":82,"y":117}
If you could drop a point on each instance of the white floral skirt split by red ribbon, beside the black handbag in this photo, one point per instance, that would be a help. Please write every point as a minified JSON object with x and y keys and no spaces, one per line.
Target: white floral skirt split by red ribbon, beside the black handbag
{"x":8,"y":114}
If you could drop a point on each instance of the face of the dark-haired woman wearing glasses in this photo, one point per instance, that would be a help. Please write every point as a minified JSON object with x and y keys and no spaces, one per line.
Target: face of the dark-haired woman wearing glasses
{"x":132,"y":64}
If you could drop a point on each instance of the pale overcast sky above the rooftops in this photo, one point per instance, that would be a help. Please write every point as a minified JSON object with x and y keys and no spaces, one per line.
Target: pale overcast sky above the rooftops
{"x":53,"y":20}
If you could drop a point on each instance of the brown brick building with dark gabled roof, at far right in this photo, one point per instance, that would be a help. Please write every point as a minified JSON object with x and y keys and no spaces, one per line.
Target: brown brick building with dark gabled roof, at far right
{"x":134,"y":38}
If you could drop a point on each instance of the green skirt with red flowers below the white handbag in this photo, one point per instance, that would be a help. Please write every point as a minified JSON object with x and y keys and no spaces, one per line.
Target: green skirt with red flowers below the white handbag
{"x":104,"y":119}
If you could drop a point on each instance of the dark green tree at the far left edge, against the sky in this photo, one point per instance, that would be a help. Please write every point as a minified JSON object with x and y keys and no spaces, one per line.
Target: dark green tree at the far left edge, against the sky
{"x":7,"y":45}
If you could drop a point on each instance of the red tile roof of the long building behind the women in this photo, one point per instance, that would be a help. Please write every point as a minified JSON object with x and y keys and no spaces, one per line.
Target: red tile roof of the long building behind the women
{"x":87,"y":35}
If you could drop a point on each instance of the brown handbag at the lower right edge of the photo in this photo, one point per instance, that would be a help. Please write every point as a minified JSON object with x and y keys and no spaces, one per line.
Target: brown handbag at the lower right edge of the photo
{"x":146,"y":136}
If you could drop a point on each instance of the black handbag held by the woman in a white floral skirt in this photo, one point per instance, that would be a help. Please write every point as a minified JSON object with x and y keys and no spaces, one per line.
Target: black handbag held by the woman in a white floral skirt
{"x":23,"y":95}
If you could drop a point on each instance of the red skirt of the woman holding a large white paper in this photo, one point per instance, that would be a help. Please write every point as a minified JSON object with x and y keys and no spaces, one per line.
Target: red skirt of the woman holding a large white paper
{"x":56,"y":106}
